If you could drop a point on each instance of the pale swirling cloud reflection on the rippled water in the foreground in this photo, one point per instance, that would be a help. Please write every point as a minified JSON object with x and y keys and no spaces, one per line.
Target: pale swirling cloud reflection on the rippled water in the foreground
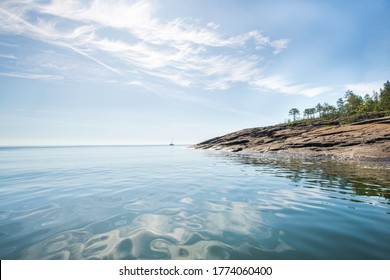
{"x":232,"y":231}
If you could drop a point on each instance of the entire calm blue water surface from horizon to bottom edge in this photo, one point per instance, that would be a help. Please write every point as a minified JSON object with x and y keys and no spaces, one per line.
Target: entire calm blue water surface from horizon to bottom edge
{"x":161,"y":202}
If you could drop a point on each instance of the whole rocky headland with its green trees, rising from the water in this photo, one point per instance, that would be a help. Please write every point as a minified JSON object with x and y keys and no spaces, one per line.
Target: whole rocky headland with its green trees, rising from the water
{"x":358,"y":128}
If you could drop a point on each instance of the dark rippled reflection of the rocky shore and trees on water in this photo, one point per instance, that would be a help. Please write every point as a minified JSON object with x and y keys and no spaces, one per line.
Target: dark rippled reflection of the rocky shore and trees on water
{"x":363,"y":178}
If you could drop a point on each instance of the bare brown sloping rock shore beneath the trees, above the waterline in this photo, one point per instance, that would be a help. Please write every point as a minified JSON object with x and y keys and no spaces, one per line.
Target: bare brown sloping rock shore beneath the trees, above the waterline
{"x":365,"y":140}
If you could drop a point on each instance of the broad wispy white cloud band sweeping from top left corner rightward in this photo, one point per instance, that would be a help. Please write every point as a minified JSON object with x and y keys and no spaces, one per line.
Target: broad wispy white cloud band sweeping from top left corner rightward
{"x":129,"y":40}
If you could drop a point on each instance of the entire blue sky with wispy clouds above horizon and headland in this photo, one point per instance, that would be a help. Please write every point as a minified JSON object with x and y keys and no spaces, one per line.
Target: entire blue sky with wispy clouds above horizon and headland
{"x":151,"y":72}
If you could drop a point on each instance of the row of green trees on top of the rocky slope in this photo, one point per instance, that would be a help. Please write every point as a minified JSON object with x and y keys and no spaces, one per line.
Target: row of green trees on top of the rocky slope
{"x":349,"y":105}
